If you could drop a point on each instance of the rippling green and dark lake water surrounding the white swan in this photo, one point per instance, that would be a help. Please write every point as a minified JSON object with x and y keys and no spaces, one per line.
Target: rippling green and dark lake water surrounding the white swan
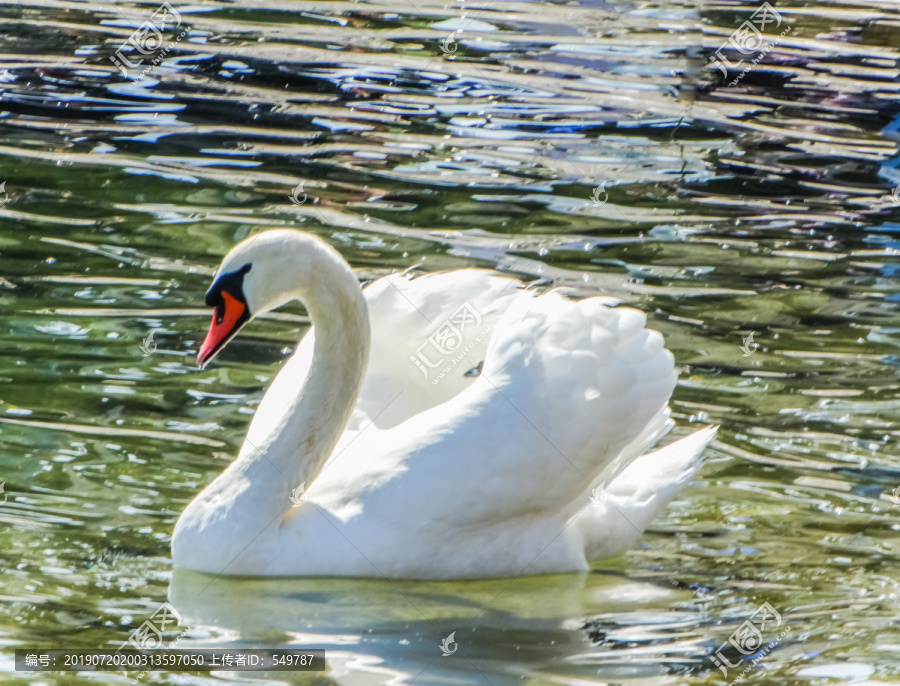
{"x":598,"y":145}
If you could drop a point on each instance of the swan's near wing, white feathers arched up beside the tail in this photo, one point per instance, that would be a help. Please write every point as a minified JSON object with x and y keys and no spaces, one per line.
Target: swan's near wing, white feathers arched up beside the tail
{"x":569,"y":394}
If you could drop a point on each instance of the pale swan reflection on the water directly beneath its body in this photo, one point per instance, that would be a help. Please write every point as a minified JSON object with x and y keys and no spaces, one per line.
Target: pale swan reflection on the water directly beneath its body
{"x":390,"y":631}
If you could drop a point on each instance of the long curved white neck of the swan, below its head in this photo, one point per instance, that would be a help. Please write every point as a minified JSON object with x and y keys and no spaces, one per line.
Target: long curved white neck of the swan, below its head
{"x":302,"y":442}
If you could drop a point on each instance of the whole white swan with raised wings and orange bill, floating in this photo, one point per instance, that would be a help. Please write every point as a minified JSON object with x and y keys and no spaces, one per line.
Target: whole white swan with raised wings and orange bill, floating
{"x":416,"y":464}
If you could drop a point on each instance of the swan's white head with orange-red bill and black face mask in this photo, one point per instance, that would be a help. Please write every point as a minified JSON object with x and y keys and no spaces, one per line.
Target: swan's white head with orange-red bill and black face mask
{"x":258,"y":275}
